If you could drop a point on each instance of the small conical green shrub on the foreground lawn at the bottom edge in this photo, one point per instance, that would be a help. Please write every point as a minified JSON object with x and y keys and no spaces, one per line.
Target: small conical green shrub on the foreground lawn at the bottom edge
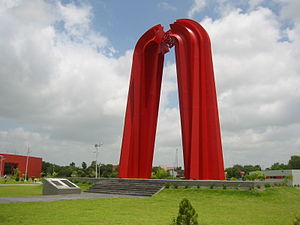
{"x":187,"y":214}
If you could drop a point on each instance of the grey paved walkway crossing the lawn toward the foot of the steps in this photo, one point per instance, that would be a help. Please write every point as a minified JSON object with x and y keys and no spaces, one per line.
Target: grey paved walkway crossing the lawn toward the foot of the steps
{"x":49,"y":198}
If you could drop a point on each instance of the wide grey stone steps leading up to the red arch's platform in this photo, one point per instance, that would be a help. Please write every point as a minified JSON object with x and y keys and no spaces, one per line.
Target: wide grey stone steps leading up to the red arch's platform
{"x":138,"y":187}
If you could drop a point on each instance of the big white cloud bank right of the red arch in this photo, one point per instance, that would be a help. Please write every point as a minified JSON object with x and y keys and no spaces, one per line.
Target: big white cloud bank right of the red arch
{"x":257,"y":78}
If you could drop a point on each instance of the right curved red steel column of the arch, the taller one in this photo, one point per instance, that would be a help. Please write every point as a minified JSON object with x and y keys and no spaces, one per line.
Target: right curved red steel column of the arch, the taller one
{"x":201,"y":139}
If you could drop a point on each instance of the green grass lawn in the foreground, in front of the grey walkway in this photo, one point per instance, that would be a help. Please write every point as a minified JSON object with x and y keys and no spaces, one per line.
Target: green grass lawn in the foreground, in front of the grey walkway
{"x":275,"y":206}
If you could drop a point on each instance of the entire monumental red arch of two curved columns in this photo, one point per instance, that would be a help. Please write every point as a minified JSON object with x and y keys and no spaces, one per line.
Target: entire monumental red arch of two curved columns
{"x":201,"y":139}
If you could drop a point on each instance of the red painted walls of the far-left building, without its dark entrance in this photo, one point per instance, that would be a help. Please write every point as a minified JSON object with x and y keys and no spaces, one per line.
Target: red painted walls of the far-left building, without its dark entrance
{"x":34,"y":164}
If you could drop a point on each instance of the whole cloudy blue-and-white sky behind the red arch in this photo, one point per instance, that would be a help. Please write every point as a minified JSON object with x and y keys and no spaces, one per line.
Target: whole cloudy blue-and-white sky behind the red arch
{"x":65,"y":67}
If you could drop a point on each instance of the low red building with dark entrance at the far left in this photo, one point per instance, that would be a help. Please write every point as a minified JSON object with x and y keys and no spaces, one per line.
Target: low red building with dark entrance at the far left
{"x":8,"y":162}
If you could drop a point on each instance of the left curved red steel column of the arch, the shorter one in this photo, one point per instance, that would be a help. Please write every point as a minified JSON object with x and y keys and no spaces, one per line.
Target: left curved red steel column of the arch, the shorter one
{"x":142,"y":105}
